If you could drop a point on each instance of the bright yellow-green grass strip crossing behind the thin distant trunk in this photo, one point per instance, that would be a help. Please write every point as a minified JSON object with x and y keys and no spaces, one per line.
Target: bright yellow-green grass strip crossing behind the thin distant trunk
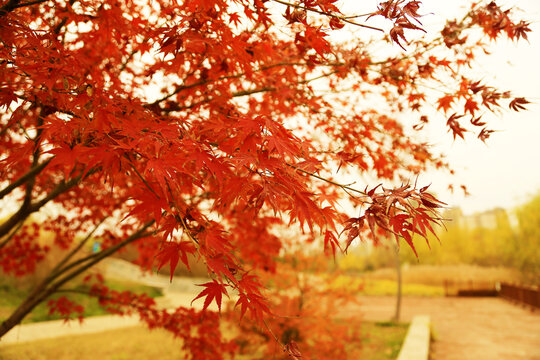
{"x":385,"y":287}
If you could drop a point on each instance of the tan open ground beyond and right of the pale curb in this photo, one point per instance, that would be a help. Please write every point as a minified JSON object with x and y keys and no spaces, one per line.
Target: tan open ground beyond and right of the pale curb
{"x":468,"y":328}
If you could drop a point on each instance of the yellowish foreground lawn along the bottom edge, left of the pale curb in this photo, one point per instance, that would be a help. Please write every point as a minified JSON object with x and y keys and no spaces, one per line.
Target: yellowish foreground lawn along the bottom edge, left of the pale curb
{"x":382,"y":342}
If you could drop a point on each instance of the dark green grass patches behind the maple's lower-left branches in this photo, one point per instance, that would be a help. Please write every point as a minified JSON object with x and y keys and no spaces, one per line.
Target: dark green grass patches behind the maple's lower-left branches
{"x":11,"y":297}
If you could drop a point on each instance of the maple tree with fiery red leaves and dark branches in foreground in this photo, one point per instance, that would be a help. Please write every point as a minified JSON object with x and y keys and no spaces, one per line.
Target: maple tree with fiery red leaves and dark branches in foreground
{"x":204,"y":127}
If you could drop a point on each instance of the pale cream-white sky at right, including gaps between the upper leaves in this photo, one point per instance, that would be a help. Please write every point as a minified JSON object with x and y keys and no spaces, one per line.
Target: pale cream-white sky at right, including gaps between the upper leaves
{"x":505,"y":171}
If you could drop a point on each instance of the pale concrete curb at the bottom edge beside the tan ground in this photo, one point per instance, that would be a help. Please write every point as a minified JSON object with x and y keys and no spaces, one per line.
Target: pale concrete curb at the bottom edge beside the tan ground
{"x":416,"y":344}
